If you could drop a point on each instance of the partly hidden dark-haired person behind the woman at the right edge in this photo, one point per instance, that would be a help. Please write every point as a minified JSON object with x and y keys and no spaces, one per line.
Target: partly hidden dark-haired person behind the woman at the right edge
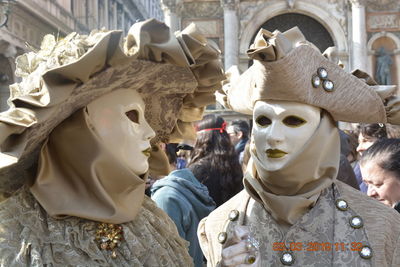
{"x":368,"y":135}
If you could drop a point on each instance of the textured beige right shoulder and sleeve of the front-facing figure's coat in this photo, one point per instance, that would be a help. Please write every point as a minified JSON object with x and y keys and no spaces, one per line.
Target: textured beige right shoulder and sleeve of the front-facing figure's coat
{"x":382,"y":224}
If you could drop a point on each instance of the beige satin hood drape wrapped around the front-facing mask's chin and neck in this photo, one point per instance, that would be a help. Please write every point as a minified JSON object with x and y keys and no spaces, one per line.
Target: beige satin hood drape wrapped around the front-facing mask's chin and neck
{"x":290,"y":192}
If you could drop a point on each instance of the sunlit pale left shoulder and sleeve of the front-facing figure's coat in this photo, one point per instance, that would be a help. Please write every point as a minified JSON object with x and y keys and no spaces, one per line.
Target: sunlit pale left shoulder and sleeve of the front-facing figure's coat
{"x":211,"y":226}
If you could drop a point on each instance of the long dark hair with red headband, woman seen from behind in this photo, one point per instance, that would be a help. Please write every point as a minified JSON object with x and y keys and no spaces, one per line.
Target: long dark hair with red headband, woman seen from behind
{"x":214,"y":161}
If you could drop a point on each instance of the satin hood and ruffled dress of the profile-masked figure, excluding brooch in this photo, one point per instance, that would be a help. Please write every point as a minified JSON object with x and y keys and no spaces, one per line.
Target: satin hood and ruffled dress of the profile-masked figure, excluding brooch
{"x":96,"y":187}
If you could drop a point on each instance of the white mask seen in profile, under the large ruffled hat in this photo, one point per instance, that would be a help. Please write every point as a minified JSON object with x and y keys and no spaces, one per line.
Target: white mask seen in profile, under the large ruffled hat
{"x":118,"y":119}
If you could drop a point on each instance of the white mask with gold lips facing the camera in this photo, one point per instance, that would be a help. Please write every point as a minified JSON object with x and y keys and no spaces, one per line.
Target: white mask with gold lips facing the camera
{"x":281,"y":129}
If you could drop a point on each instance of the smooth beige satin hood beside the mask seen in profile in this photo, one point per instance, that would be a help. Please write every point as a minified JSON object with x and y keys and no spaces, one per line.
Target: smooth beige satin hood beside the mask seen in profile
{"x":78,"y":176}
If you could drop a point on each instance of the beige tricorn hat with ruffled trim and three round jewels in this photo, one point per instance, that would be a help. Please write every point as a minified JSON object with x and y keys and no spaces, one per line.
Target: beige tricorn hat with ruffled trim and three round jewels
{"x":287,"y":67}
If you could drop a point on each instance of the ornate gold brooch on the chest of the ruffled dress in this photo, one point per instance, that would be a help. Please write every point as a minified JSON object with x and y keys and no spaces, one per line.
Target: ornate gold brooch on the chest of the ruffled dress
{"x":109,"y":237}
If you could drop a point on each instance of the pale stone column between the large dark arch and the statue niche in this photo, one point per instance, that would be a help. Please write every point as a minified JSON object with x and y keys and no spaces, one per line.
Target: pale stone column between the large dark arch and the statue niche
{"x":359,"y":37}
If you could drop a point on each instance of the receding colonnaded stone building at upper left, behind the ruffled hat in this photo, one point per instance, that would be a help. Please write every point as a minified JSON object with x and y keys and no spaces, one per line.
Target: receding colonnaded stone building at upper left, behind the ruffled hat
{"x":30,"y":20}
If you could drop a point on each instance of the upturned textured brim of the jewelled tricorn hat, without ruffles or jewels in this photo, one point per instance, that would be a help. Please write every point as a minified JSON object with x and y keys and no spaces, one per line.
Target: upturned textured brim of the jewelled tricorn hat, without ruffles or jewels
{"x":290,"y":79}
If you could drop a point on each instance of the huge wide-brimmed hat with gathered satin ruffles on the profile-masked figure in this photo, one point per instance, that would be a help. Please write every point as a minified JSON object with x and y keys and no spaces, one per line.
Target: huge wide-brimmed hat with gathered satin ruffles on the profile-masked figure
{"x":176,"y":75}
